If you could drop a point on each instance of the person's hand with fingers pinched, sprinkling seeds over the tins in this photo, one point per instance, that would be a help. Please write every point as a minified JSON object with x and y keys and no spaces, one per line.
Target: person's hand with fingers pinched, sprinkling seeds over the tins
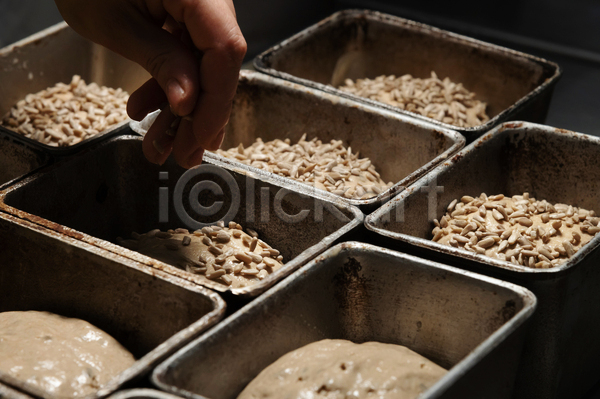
{"x":161,"y":36}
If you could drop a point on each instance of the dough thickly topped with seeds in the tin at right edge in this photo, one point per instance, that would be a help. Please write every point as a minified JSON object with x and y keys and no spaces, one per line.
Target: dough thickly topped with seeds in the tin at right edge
{"x":517,"y":229}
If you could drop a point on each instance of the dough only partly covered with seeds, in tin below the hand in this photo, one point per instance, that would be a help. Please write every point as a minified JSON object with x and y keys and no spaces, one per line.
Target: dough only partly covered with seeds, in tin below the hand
{"x":226,"y":255}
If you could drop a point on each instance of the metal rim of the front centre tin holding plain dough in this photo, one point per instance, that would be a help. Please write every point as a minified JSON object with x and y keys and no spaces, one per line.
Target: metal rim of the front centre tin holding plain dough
{"x":453,"y":374}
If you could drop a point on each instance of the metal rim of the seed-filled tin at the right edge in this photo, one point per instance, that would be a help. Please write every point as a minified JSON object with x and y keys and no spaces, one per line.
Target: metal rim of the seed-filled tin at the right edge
{"x":372,"y":220}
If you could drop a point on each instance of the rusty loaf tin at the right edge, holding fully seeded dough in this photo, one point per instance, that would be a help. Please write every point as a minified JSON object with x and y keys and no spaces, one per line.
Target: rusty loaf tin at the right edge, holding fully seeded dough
{"x":562,"y":351}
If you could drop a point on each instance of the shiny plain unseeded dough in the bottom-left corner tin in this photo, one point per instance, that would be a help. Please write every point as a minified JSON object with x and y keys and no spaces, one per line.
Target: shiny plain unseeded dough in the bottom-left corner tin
{"x":63,"y":356}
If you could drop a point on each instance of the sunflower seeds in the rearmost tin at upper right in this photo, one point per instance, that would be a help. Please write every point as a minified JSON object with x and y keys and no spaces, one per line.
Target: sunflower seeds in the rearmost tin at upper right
{"x":442,"y":100}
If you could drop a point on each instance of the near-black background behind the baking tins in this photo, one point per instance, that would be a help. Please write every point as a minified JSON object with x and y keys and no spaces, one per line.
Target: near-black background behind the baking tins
{"x":566,"y":32}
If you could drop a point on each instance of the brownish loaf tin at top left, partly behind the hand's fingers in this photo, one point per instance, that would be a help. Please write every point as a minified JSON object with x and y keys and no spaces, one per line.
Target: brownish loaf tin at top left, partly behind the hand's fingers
{"x":54,"y":55}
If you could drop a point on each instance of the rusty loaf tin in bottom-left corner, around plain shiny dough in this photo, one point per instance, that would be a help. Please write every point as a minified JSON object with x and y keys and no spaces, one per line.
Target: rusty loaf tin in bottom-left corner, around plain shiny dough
{"x":148,"y":311}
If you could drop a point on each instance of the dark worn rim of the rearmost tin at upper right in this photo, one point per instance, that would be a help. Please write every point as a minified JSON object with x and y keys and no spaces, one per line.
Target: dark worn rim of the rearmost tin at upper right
{"x":261,"y":64}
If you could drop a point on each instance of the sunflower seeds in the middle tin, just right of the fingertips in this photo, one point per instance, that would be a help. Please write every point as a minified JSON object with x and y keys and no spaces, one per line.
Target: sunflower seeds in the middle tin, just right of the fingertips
{"x":331,"y":166}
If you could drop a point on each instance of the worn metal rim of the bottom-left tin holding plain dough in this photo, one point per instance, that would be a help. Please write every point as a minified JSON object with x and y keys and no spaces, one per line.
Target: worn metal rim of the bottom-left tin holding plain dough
{"x":145,"y":363}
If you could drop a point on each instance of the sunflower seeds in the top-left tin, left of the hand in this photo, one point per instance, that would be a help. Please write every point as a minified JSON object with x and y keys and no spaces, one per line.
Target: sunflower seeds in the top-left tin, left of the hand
{"x":66,"y":114}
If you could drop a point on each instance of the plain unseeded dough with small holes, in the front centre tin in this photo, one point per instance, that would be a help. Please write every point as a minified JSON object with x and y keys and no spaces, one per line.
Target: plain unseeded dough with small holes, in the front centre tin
{"x":337,"y":368}
